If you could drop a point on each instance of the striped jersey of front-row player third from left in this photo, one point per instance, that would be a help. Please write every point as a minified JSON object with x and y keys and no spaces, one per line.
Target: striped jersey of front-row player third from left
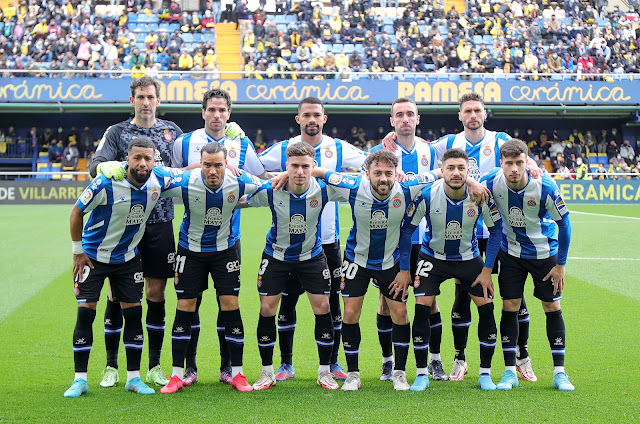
{"x":294,"y":234}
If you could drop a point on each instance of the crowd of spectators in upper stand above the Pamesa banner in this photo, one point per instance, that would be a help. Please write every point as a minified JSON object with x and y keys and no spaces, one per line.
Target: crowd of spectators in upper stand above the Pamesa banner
{"x":533,"y":39}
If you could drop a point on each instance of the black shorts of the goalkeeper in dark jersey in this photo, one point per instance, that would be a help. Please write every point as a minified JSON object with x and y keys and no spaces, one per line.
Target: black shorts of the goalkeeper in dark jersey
{"x":158,"y":250}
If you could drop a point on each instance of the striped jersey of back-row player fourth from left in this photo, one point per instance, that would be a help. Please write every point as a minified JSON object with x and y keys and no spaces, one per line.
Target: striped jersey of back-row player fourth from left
{"x":420,"y":159}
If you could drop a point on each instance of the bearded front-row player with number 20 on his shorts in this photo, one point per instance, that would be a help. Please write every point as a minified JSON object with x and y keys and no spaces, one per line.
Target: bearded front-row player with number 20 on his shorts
{"x":378,"y":204}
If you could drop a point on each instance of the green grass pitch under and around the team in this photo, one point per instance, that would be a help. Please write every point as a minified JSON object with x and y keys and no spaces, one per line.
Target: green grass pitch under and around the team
{"x":601,"y":309}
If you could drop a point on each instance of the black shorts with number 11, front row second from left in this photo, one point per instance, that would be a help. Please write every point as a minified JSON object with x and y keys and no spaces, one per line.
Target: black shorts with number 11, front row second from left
{"x":193,"y":270}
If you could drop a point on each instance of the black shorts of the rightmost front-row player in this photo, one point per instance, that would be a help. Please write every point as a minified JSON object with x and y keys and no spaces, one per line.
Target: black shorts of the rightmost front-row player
{"x":513,"y":274}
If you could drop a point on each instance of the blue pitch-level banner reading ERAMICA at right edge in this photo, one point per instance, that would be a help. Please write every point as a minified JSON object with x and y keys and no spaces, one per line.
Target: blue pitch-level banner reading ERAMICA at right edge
{"x":600,"y":191}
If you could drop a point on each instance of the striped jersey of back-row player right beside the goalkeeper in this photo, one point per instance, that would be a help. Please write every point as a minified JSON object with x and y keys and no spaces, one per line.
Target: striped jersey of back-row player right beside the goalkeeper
{"x":240,"y":153}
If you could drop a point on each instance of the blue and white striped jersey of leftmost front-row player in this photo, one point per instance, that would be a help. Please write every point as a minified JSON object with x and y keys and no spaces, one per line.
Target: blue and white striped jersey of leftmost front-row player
{"x":119,"y":212}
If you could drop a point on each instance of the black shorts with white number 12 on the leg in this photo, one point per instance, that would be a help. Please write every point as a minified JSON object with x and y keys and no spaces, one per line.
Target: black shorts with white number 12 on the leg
{"x":432,"y":272}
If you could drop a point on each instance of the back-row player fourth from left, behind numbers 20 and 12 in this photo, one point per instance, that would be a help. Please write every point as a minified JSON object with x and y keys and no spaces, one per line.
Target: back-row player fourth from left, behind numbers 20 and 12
{"x":414,"y":157}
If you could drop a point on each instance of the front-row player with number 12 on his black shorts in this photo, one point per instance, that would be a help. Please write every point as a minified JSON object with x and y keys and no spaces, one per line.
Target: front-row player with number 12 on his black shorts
{"x":449,"y":250}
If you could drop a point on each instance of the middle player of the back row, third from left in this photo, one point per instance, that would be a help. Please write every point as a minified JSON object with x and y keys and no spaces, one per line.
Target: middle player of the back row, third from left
{"x":336,"y":155}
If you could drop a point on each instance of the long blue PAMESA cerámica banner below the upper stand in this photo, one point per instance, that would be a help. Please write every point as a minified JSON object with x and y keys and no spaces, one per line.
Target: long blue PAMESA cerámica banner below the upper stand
{"x":428,"y":90}
